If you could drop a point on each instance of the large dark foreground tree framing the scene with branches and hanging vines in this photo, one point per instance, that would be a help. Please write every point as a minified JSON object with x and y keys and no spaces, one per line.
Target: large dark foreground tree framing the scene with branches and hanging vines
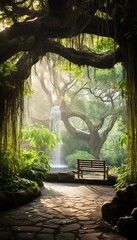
{"x":34,"y":29}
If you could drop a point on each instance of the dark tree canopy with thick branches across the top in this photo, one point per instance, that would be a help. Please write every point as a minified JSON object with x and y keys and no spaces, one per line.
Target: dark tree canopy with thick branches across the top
{"x":36,"y":26}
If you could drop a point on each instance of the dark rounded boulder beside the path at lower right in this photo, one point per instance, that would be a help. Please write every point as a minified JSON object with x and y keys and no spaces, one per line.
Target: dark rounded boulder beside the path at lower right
{"x":121,"y":211}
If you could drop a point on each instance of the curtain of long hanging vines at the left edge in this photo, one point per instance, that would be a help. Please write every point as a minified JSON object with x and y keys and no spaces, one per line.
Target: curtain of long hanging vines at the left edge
{"x":11,"y":106}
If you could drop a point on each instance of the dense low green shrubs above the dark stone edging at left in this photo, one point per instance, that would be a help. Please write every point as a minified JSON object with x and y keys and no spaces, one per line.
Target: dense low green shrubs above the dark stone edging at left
{"x":33,"y":165}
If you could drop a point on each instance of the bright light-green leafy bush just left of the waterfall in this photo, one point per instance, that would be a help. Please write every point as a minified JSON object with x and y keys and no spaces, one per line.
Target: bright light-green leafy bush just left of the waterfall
{"x":38,"y":137}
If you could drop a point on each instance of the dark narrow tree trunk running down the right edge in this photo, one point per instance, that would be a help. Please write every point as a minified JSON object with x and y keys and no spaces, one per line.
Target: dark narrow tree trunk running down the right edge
{"x":130,"y":49}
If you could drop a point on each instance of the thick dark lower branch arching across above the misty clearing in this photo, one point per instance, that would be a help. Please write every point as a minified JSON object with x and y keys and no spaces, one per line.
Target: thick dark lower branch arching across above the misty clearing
{"x":40,"y":47}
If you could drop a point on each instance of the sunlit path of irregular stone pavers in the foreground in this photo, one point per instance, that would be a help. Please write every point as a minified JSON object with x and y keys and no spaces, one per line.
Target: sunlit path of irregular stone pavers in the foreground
{"x":62,"y":212}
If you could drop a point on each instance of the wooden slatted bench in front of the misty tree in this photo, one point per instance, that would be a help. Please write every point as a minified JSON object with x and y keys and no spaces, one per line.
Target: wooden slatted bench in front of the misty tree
{"x":92,"y":166}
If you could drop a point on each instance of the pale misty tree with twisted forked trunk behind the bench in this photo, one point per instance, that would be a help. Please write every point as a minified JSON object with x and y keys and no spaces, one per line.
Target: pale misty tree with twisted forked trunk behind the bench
{"x":89,"y":107}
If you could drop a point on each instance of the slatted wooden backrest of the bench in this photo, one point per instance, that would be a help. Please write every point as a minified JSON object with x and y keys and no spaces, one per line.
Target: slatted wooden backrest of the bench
{"x":94,"y":163}
